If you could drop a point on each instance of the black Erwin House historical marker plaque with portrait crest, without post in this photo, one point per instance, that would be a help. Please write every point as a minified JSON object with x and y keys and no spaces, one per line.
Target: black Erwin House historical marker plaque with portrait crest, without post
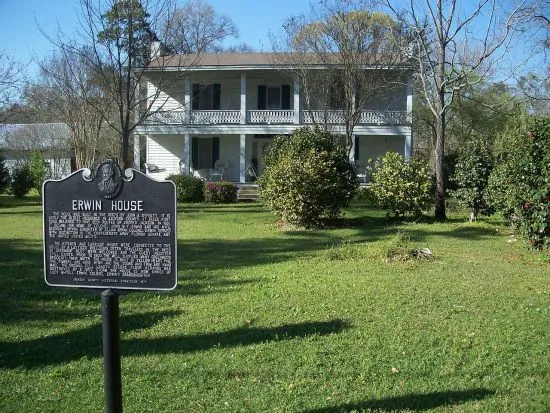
{"x":110,"y":231}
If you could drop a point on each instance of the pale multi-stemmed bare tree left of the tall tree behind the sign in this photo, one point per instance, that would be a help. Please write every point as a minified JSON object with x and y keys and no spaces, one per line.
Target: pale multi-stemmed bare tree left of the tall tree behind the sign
{"x":64,"y":93}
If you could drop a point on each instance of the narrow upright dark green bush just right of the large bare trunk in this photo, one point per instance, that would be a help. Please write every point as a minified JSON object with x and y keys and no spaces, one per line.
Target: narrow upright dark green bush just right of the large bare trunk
{"x":471,"y":176}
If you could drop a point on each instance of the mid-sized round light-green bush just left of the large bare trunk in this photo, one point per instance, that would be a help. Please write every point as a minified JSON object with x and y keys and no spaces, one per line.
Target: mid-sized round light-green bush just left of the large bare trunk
{"x":401,"y":186}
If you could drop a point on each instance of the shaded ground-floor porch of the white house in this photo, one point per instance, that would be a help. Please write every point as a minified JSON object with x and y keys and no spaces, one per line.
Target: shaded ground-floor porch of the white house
{"x":231,"y":156}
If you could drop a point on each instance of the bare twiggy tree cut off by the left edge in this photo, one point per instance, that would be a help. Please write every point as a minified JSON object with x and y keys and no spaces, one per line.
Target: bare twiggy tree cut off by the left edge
{"x":11,"y":84}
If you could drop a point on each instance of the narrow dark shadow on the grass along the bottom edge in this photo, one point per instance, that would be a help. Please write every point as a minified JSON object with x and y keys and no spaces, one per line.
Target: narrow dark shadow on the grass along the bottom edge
{"x":413,"y":402}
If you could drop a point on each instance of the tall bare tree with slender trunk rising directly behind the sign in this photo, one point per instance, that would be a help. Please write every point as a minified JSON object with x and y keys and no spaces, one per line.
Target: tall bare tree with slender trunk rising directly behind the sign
{"x":116,"y":40}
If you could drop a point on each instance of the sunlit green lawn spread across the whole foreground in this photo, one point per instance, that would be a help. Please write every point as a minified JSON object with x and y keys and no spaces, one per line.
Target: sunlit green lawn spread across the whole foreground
{"x":268,"y":320}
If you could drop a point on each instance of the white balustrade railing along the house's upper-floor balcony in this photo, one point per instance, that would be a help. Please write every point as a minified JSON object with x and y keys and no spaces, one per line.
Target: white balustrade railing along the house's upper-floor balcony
{"x":225,"y":117}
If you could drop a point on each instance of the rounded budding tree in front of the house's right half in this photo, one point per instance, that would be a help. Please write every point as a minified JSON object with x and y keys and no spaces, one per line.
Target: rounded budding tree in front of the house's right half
{"x":355,"y":49}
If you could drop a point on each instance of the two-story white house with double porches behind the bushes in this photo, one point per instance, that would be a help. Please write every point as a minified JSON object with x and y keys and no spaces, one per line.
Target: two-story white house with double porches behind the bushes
{"x":228,"y":107}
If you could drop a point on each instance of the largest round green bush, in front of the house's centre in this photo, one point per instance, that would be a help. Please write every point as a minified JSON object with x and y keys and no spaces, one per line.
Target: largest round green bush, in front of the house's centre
{"x":307,"y":177}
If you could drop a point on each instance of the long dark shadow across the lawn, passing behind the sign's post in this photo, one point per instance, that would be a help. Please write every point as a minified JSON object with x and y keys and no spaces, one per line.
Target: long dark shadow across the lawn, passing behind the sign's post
{"x":87,"y":342}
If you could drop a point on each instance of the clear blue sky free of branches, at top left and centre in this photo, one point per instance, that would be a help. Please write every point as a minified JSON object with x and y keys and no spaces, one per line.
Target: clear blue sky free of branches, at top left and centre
{"x":21,"y":37}
